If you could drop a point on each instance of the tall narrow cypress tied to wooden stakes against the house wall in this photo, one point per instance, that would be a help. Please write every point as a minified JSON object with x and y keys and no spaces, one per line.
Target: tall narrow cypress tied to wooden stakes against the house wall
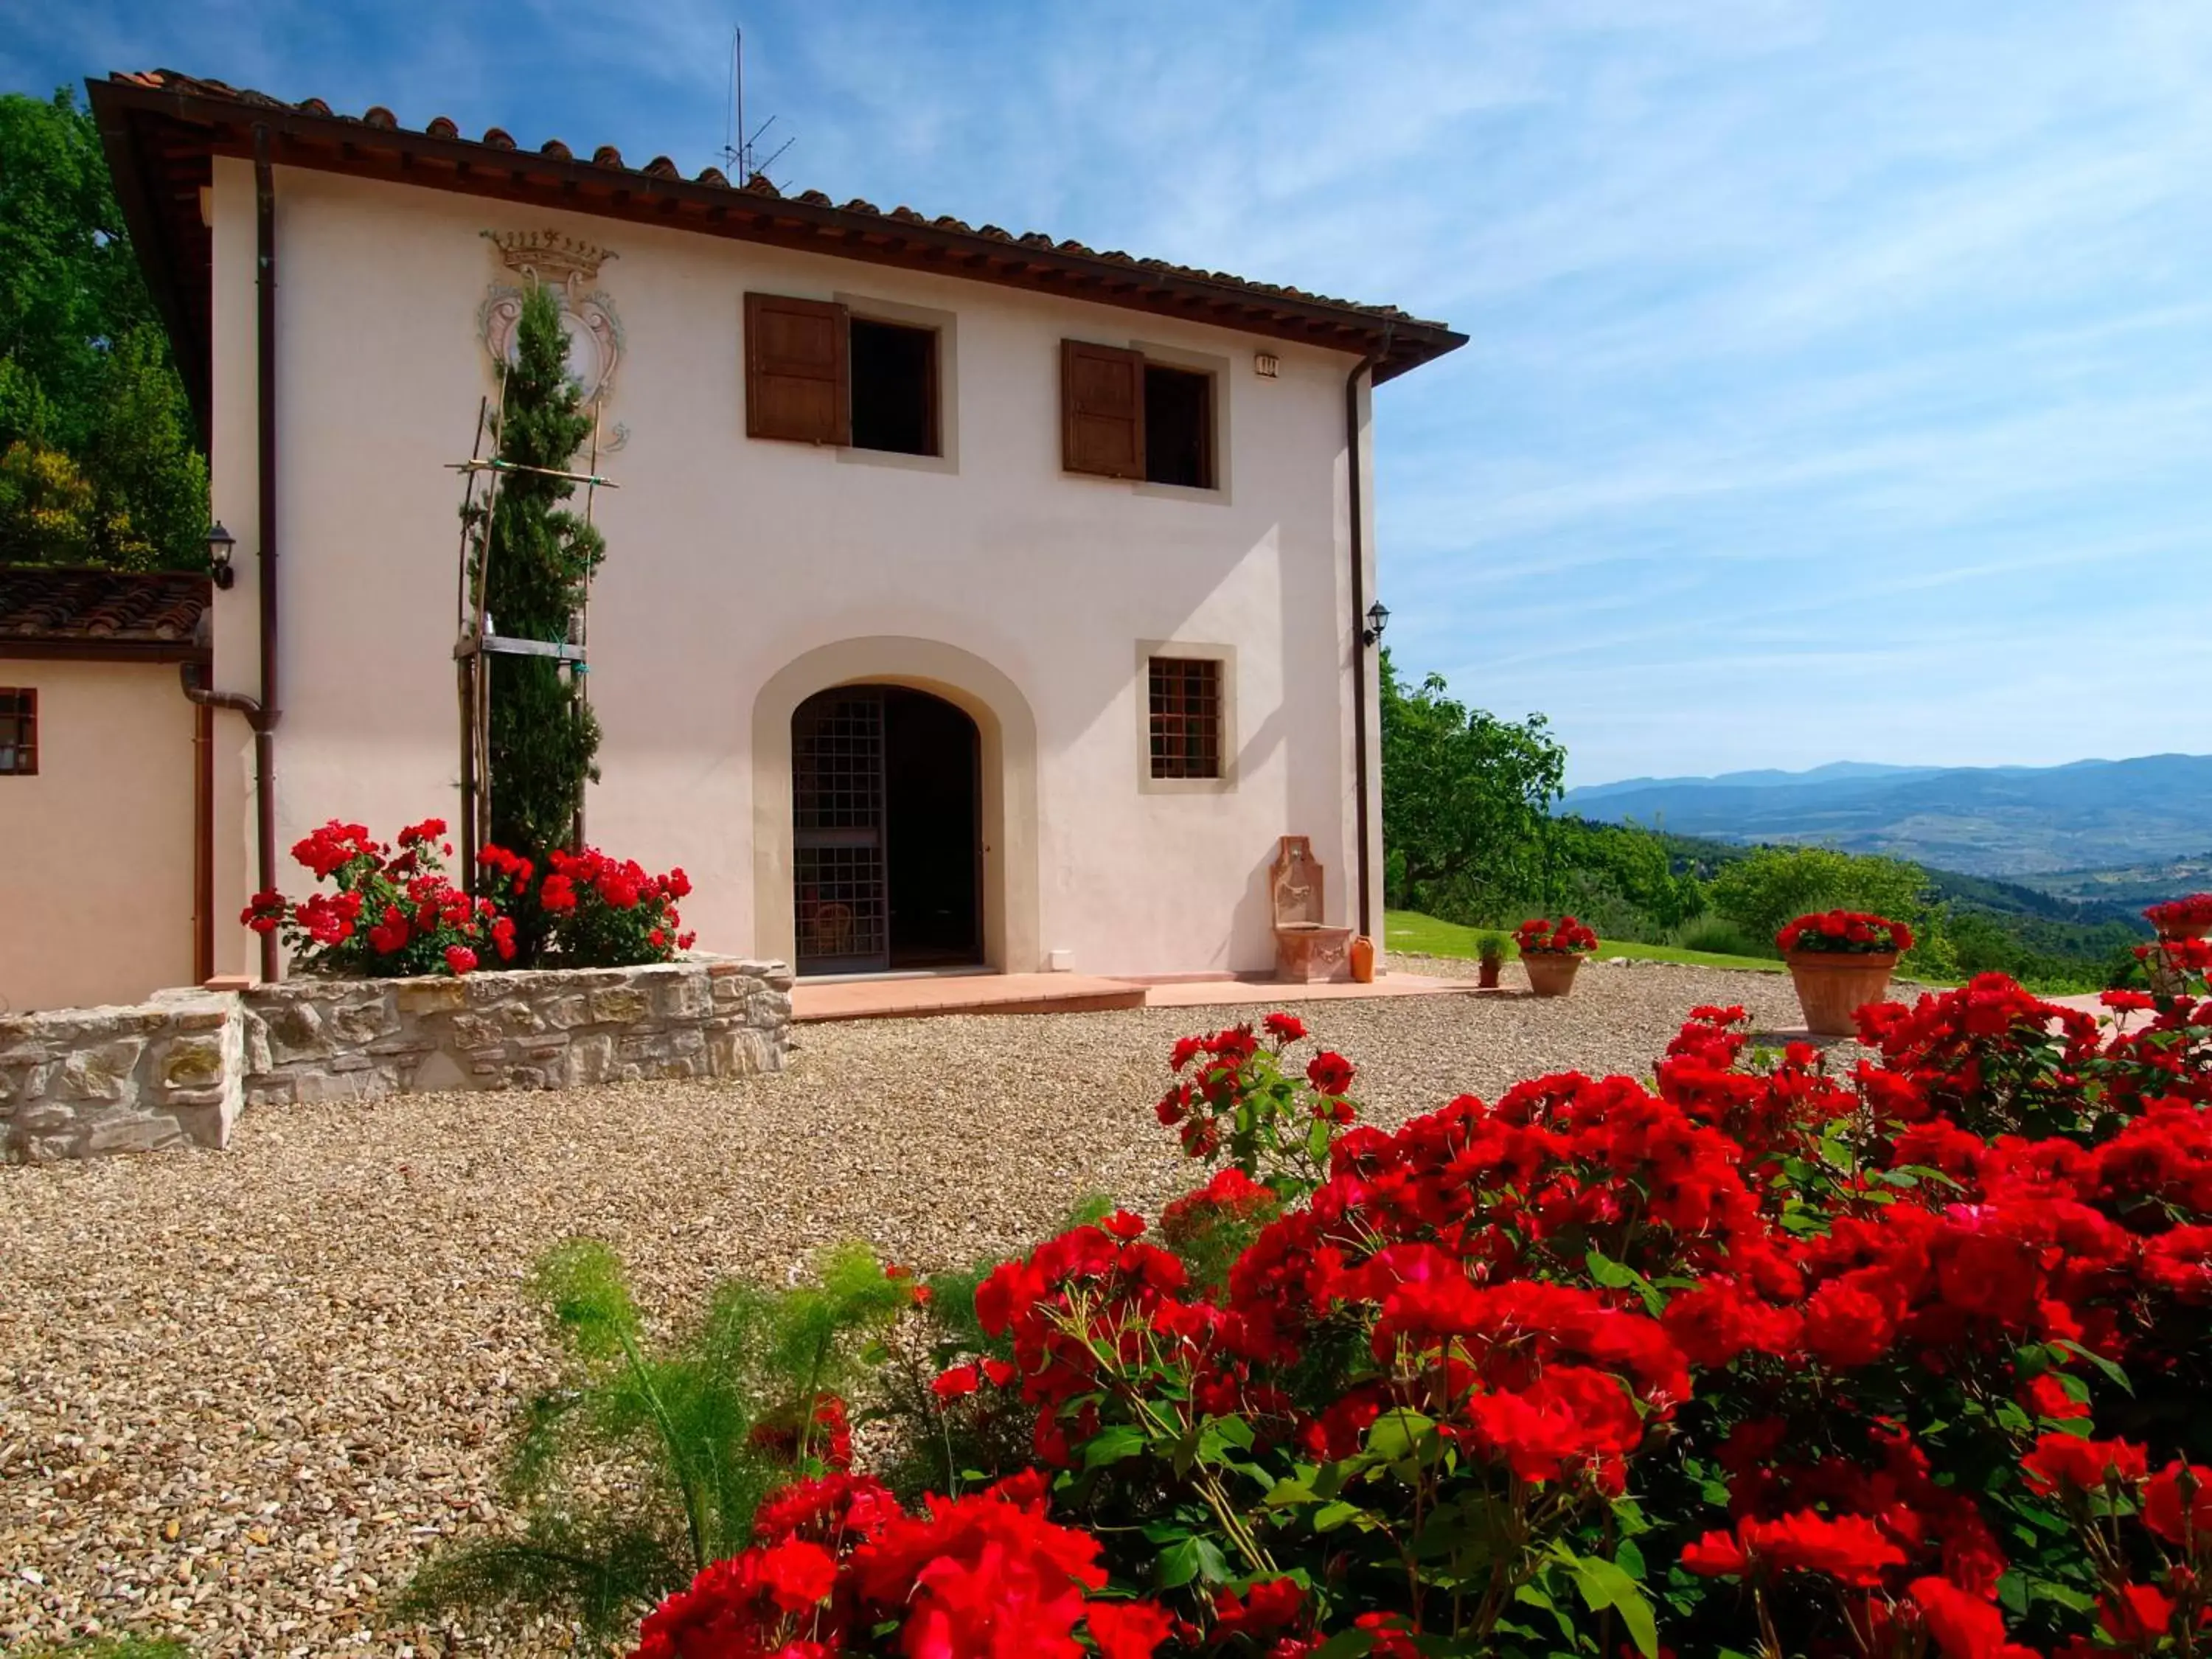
{"x":536,"y":561}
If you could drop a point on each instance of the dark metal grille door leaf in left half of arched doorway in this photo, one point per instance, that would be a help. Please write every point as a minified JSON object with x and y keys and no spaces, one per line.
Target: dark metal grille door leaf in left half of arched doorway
{"x":837,"y":844}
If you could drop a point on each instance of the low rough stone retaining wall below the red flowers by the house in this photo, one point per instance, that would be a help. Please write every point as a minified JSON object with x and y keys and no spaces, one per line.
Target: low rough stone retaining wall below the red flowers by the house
{"x":178,"y":1070}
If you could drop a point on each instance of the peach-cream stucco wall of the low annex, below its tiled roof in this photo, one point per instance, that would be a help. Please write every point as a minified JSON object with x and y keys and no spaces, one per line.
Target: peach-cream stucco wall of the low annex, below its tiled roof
{"x":96,"y":881}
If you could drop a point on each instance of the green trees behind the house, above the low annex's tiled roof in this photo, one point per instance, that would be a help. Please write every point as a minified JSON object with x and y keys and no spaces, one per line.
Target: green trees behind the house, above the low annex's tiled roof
{"x":85,"y":371}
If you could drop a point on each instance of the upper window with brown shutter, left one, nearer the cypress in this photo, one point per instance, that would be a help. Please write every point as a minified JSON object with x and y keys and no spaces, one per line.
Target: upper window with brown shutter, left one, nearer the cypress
{"x":820,"y":375}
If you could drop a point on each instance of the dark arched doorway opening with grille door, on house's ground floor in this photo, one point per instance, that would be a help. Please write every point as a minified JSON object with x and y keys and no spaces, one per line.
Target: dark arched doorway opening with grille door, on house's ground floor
{"x":886,"y":833}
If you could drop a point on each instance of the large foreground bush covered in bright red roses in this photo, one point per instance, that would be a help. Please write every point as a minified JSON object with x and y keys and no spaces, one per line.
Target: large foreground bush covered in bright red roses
{"x":1766,"y":1355}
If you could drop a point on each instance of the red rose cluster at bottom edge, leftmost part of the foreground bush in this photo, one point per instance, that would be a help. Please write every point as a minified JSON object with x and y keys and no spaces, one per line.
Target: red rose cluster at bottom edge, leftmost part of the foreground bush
{"x":842,"y":1565}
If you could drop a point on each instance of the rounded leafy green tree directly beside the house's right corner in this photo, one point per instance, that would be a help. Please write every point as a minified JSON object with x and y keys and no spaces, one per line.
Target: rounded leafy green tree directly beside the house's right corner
{"x":1465,"y":800}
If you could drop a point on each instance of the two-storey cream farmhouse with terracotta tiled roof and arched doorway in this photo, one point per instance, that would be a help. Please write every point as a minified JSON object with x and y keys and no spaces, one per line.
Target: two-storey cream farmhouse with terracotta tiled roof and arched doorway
{"x":972,"y":598}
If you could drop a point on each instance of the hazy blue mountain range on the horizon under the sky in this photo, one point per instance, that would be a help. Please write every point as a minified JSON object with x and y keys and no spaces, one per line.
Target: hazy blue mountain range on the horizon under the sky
{"x":1983,"y":820}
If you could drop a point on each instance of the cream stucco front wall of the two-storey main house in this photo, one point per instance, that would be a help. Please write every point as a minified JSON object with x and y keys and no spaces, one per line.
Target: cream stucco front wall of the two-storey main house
{"x":742,"y":572}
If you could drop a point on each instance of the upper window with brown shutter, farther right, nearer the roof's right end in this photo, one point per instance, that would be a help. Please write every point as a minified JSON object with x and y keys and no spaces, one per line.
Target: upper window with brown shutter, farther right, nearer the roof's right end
{"x":1127,"y":417}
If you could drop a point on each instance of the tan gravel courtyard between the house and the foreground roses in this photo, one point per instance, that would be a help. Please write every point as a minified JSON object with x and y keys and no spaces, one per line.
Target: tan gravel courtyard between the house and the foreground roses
{"x":244,"y":1395}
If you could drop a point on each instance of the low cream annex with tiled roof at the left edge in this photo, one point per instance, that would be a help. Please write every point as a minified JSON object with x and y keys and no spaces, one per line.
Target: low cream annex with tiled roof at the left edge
{"x":105,"y":786}
